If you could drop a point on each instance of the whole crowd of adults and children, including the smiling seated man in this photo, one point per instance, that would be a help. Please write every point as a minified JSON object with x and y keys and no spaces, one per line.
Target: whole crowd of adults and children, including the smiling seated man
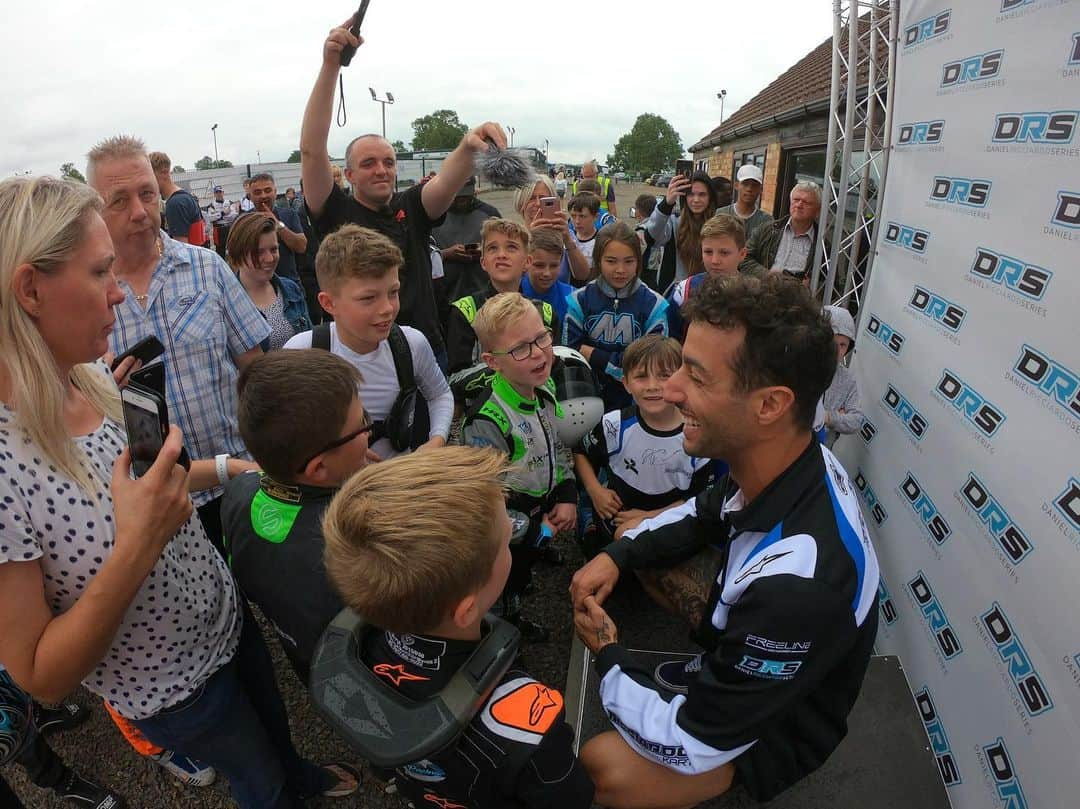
{"x":314,"y":374}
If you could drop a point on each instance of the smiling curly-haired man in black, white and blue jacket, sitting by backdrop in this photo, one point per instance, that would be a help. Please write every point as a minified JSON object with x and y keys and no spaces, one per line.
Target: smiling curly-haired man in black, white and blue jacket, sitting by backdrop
{"x":773,"y":567}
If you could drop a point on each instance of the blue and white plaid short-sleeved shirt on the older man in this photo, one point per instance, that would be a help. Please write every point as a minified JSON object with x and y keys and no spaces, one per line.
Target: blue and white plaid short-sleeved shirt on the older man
{"x":205,"y":319}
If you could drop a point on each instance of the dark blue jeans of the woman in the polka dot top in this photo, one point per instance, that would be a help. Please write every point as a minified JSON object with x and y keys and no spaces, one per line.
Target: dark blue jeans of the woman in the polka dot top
{"x":237,"y":723}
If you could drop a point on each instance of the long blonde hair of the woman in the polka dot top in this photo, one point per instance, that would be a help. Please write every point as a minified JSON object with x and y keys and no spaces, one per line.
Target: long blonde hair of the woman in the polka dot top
{"x":43,"y":223}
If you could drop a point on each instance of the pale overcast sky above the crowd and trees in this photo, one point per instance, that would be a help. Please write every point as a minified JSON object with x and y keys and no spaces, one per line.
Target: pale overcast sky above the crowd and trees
{"x":573,"y":72}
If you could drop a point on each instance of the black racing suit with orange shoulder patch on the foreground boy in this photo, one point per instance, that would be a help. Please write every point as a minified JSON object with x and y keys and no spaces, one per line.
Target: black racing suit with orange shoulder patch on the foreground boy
{"x":518,"y":751}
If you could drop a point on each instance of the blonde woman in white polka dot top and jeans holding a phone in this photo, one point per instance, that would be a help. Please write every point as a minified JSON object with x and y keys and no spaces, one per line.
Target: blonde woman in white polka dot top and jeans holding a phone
{"x":109,"y":582}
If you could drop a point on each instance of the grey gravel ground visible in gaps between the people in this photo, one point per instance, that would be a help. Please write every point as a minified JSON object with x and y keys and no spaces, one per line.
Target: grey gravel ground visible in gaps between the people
{"x":98,"y":751}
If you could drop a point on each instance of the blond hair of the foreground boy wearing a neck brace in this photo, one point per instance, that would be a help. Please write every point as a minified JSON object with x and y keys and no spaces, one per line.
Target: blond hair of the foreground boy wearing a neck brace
{"x":394,"y":555}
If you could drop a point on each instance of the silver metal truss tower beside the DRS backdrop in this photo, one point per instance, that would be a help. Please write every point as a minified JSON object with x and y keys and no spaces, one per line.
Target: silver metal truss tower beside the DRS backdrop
{"x":857,"y":158}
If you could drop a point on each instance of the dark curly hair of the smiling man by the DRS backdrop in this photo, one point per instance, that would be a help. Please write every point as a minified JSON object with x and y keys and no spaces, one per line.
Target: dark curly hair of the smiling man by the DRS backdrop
{"x":789,"y":341}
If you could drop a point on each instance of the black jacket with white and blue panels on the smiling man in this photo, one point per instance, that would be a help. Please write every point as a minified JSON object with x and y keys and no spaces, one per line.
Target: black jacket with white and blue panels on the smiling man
{"x":788,"y":631}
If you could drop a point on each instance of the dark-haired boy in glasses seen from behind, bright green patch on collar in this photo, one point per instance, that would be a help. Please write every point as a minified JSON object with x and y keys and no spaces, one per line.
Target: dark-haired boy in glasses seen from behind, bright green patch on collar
{"x":307,"y":447}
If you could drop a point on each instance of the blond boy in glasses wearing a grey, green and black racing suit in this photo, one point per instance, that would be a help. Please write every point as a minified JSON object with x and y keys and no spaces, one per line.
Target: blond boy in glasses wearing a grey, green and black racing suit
{"x":517,"y":415}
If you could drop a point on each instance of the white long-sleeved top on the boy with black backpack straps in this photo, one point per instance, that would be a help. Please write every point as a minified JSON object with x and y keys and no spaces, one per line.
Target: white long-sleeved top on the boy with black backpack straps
{"x":380,"y":387}
